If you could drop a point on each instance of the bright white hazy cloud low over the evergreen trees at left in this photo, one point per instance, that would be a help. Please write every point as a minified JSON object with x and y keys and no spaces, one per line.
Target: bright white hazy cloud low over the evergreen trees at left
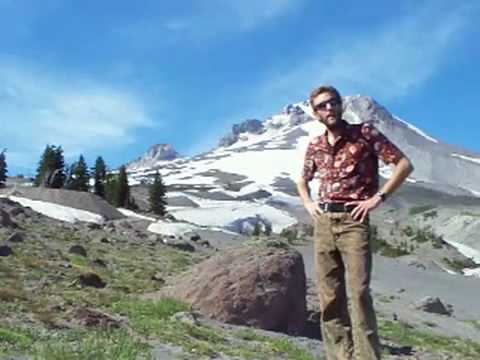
{"x":39,"y":107}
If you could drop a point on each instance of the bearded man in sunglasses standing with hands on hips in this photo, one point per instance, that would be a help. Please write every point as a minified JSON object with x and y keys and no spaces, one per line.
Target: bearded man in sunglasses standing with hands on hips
{"x":345,"y":160}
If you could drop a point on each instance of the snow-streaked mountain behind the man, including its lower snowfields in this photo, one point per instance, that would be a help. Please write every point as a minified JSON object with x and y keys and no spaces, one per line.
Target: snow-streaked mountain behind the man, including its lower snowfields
{"x":250,"y":176}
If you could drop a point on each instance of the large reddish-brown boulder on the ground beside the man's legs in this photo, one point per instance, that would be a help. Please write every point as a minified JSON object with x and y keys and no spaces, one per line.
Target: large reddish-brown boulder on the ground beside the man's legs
{"x":260,"y":284}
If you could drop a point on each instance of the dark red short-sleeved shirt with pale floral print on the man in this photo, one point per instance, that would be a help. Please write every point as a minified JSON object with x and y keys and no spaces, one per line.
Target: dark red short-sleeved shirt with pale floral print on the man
{"x":348,"y":170}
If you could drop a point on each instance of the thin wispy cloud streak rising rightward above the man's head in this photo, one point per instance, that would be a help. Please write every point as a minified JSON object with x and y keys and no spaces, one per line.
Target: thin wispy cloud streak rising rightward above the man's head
{"x":390,"y":60}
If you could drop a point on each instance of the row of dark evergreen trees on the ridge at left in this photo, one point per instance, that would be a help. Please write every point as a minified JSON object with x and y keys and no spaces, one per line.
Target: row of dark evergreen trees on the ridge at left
{"x":113,"y":187}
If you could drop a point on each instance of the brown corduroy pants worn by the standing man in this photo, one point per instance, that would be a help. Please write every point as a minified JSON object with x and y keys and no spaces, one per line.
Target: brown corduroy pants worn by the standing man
{"x":343,"y":262}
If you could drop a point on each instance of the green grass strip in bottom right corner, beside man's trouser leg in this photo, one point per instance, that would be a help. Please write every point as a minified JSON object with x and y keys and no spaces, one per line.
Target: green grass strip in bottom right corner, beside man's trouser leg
{"x":404,"y":334}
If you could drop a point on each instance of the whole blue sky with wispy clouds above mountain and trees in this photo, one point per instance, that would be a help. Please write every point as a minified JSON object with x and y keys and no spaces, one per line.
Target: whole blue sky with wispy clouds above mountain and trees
{"x":112,"y":78}
